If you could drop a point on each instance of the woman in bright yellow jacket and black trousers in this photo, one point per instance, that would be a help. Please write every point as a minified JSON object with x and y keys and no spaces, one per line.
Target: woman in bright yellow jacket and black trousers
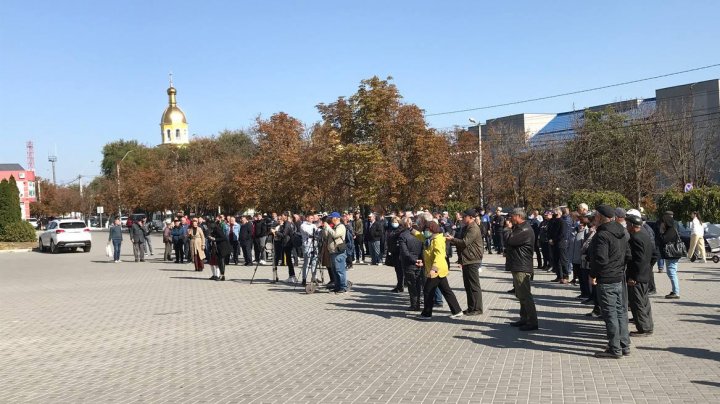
{"x":436,"y":272}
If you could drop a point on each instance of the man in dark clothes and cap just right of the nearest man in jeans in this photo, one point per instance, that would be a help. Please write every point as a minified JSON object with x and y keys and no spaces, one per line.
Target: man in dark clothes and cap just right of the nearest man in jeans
{"x":639,"y":270}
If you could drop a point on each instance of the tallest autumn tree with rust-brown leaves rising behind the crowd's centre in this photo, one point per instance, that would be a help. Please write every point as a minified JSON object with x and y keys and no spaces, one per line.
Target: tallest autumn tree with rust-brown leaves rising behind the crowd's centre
{"x":387,"y":154}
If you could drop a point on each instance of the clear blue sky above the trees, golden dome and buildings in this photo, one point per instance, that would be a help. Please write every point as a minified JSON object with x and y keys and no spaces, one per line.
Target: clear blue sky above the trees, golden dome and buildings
{"x":78,"y":74}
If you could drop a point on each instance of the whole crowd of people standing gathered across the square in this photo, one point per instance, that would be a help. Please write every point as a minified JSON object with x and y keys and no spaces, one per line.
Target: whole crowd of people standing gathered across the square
{"x":609,"y":253}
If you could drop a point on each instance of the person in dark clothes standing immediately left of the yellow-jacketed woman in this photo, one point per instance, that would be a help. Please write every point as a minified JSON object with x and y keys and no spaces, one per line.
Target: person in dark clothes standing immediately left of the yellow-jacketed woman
{"x":411,"y":252}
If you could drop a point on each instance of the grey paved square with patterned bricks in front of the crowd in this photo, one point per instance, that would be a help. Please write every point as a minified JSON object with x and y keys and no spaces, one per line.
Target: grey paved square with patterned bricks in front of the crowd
{"x":78,"y":329}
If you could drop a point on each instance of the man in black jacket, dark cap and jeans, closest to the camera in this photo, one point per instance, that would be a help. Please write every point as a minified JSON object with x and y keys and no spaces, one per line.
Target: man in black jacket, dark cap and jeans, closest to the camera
{"x":607,"y":255}
